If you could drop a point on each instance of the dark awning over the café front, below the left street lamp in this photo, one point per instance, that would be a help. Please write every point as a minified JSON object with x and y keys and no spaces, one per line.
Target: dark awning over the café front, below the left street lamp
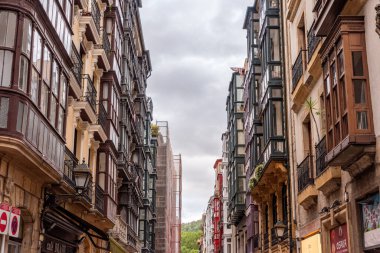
{"x":90,"y":230}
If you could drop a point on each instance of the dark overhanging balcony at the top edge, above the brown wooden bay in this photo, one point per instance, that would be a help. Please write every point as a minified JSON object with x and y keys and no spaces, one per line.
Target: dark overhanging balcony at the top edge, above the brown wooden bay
{"x":327,"y":11}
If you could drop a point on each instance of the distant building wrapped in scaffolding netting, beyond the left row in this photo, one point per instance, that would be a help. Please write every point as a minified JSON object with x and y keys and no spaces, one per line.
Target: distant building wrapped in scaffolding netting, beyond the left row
{"x":169,"y":193}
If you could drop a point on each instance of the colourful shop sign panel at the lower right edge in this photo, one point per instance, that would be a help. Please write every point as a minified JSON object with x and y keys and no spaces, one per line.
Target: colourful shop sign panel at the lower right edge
{"x":371,"y":221}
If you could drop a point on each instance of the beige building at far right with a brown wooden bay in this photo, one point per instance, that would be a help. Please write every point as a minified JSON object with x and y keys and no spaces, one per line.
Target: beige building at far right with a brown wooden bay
{"x":332,"y":56}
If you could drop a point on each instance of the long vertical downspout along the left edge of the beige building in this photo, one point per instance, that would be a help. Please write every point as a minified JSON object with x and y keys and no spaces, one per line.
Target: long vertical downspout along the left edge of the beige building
{"x":287,"y":135}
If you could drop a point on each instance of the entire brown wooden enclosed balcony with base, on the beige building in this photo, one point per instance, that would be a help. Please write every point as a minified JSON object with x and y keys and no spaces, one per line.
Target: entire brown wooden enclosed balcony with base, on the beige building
{"x":351,"y":137}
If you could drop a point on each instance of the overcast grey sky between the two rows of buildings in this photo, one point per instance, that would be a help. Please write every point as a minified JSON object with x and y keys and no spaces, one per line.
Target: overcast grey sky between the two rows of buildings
{"x":193,"y":44}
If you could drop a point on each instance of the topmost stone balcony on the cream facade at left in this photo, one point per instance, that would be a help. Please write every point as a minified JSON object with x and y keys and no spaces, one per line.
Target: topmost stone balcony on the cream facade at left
{"x":90,"y":18}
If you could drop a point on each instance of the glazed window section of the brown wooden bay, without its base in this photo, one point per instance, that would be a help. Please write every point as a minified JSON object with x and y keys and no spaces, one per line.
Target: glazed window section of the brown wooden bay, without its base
{"x":346,"y":88}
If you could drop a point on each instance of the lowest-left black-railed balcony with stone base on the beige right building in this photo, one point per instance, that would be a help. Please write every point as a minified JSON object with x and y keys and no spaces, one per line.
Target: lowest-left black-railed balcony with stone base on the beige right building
{"x":307,"y":193}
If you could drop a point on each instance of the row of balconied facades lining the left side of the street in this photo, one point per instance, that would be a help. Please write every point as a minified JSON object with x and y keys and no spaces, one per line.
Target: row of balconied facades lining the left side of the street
{"x":73,"y":102}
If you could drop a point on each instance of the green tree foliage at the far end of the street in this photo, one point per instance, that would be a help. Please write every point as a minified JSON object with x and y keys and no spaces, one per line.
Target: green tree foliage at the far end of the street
{"x":190,"y":234}
